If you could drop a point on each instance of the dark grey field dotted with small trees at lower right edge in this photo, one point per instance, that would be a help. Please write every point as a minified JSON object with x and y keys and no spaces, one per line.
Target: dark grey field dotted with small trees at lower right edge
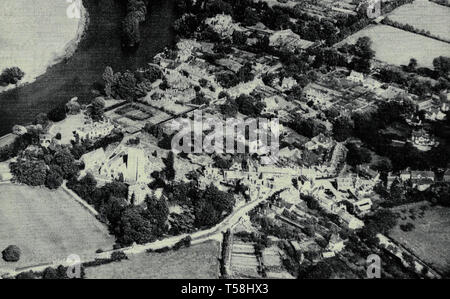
{"x":430,"y":239}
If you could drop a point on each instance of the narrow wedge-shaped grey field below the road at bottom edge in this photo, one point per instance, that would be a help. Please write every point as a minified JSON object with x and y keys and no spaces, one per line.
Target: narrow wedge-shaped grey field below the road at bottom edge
{"x":197,"y":262}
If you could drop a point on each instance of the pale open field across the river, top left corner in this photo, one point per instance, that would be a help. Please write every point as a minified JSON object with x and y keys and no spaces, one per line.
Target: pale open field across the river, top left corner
{"x":36,"y":45}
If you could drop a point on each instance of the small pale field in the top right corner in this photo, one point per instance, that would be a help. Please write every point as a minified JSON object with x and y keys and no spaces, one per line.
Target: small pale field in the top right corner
{"x":426,"y":15}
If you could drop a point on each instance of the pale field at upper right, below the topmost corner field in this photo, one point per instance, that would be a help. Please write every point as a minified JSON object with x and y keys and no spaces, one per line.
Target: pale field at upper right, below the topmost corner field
{"x":395,"y":46}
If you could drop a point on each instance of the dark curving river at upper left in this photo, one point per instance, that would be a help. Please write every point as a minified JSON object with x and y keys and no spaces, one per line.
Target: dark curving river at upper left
{"x":99,"y":47}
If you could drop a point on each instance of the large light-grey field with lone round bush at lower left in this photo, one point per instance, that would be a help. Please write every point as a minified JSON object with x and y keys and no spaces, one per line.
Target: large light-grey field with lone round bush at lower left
{"x":47,"y":225}
